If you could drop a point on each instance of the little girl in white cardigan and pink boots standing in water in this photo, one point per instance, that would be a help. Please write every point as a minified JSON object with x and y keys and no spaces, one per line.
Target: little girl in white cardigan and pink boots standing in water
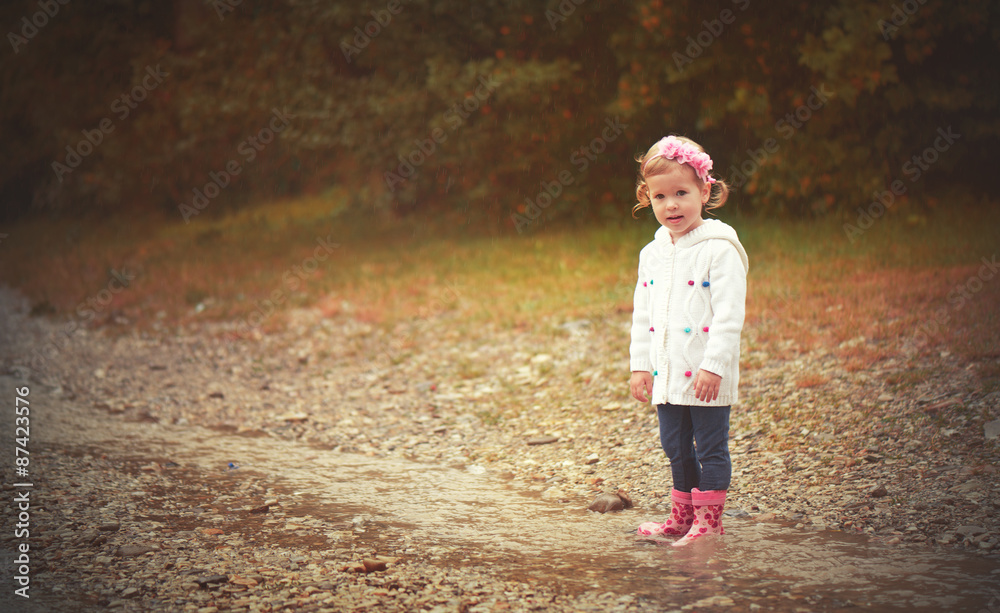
{"x":685,"y":350}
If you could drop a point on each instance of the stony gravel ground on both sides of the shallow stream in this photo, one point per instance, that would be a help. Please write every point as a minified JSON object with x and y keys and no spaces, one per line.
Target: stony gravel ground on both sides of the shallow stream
{"x":543,"y":407}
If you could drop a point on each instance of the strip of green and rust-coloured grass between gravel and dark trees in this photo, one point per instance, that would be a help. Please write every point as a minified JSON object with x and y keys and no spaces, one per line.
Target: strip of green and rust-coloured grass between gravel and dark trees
{"x":809,"y":285}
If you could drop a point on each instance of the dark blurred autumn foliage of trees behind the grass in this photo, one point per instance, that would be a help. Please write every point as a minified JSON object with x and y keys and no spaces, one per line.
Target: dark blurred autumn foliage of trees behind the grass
{"x":403,"y":107}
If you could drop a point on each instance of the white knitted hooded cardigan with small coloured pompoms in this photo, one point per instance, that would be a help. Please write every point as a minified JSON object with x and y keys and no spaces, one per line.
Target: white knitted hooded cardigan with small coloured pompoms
{"x":690,"y":302}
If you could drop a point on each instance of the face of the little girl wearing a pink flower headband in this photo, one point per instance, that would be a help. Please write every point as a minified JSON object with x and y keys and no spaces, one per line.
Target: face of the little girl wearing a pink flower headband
{"x":677,"y":197}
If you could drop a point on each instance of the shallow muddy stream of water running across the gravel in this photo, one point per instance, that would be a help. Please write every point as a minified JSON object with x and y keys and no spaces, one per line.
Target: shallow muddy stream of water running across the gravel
{"x":467,"y":515}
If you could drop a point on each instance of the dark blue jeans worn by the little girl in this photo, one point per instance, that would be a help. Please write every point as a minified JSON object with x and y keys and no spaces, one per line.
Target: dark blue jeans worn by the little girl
{"x":708,"y":467}
